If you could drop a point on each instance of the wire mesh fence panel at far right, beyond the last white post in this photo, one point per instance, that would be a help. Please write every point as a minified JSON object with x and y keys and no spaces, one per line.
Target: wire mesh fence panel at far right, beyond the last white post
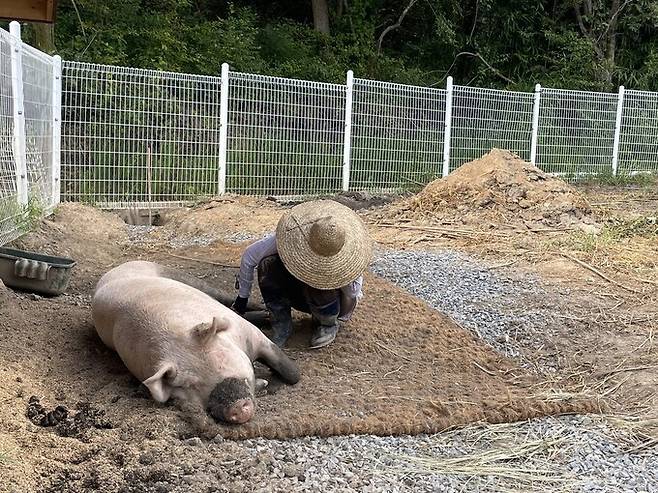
{"x":638,"y":139}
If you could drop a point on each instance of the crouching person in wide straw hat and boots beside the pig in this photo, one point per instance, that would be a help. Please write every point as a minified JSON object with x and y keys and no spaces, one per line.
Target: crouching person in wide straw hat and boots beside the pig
{"x":314,"y":262}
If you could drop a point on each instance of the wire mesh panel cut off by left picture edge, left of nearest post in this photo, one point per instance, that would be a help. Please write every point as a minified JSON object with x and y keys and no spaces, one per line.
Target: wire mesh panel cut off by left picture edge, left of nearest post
{"x":10,"y":210}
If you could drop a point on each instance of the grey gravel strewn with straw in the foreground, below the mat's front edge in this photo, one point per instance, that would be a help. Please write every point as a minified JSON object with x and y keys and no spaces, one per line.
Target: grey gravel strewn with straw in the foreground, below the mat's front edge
{"x":576,"y":453}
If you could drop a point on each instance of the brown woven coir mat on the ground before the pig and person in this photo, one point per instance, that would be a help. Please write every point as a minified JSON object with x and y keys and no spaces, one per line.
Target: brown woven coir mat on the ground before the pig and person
{"x":399,"y":367}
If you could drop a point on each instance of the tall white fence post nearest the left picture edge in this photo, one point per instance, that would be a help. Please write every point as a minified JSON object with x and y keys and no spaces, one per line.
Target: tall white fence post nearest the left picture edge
{"x":19,"y":111}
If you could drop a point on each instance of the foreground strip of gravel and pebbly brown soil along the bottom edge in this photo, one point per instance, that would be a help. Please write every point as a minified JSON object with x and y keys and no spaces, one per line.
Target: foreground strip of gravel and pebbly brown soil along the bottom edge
{"x":576,"y":454}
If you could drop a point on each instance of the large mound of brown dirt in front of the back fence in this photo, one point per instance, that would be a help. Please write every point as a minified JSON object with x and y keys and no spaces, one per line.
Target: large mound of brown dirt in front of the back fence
{"x":498,"y":188}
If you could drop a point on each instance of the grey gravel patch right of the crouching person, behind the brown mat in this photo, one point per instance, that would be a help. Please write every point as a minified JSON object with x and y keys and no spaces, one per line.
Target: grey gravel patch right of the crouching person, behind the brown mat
{"x":509,"y":314}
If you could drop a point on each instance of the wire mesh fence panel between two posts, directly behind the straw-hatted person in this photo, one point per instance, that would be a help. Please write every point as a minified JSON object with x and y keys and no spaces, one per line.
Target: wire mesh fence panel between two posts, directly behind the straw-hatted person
{"x":285,"y":136}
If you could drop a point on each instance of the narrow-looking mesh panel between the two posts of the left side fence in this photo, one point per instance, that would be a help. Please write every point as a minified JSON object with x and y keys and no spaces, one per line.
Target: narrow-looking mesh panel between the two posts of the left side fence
{"x":37,"y":101}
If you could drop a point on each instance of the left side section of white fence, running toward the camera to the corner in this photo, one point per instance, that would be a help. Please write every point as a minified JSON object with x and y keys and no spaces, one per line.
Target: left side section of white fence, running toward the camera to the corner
{"x":29,"y":133}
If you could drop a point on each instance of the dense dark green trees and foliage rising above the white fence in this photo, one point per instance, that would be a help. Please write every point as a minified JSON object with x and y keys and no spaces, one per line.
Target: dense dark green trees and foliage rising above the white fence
{"x":493,"y":43}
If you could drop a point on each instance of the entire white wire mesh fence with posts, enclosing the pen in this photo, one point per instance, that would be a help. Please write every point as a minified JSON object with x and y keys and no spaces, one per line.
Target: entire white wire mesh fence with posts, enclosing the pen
{"x":136,"y":137}
